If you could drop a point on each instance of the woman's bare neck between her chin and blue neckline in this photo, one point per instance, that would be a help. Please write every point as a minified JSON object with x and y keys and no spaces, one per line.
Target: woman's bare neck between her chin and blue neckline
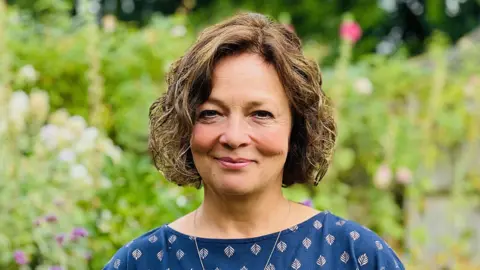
{"x":222,"y":216}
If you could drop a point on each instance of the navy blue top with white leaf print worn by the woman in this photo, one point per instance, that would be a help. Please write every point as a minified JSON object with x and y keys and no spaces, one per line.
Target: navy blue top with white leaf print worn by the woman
{"x":324,"y":241}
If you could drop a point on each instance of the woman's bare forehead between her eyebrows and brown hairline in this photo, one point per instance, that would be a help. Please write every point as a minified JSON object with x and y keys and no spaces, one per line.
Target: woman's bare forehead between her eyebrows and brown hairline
{"x":247,"y":77}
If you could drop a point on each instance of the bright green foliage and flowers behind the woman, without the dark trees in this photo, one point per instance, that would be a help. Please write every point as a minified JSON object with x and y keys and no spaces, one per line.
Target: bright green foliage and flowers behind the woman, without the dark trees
{"x":72,"y":191}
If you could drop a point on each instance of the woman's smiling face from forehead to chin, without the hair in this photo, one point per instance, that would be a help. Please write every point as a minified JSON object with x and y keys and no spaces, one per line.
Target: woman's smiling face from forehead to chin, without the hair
{"x":241,"y":134}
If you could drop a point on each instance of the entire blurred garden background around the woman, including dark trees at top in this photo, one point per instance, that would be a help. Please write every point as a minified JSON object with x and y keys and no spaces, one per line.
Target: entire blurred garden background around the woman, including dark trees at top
{"x":77,"y":79}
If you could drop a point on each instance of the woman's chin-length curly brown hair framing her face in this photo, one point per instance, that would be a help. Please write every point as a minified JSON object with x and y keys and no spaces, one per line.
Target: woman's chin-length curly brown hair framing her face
{"x":189,"y":80}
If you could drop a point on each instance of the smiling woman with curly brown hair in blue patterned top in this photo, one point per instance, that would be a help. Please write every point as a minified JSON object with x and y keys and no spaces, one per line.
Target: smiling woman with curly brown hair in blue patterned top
{"x":244,"y":116}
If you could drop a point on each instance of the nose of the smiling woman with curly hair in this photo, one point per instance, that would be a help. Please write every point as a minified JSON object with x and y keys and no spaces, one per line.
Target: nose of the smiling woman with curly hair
{"x":235,"y":134}
